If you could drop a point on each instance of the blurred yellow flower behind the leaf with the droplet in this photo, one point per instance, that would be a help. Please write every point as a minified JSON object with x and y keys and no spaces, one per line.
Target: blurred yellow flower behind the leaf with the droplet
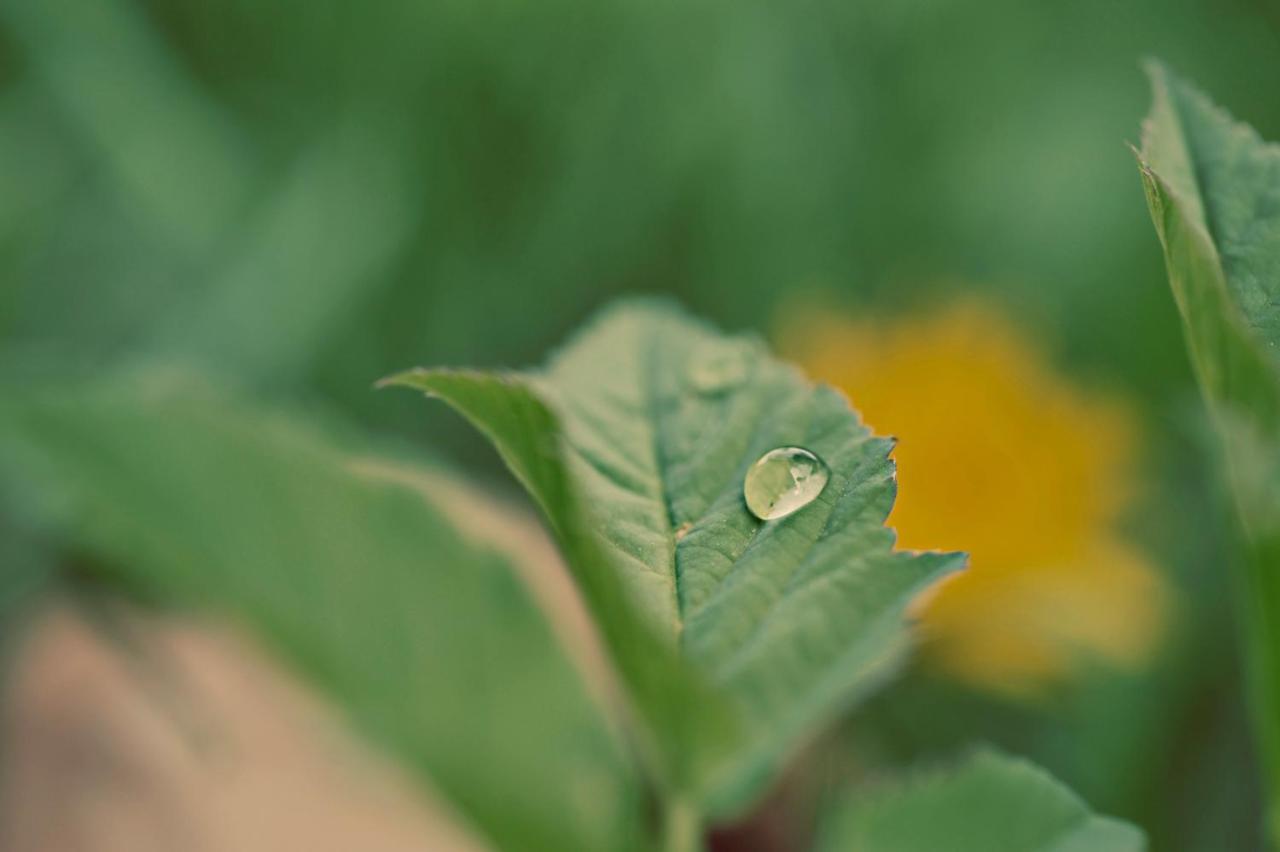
{"x":1003,"y":457}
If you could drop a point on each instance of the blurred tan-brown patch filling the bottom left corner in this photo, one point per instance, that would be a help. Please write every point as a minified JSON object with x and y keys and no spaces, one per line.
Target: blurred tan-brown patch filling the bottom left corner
{"x":200,"y":746}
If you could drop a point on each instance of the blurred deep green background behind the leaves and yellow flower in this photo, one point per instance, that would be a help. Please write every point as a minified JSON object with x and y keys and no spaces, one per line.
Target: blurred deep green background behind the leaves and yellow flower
{"x":303,"y":198}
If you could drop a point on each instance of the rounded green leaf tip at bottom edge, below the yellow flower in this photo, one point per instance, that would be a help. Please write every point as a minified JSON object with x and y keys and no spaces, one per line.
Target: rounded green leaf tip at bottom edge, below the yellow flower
{"x":989,"y":803}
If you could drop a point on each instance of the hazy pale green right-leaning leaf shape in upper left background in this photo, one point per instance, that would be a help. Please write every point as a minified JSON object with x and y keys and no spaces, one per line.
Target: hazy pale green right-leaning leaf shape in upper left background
{"x":309,"y":251}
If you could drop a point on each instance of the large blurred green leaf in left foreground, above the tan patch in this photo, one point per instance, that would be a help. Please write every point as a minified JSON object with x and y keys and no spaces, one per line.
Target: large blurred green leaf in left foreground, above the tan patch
{"x":355,"y":572}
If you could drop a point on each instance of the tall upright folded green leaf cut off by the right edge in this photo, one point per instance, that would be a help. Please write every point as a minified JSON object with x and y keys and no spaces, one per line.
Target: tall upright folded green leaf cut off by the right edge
{"x":1214,"y":191}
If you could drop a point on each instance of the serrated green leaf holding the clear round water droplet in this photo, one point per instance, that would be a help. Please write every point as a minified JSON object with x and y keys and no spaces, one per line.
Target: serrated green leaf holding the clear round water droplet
{"x":636,"y":441}
